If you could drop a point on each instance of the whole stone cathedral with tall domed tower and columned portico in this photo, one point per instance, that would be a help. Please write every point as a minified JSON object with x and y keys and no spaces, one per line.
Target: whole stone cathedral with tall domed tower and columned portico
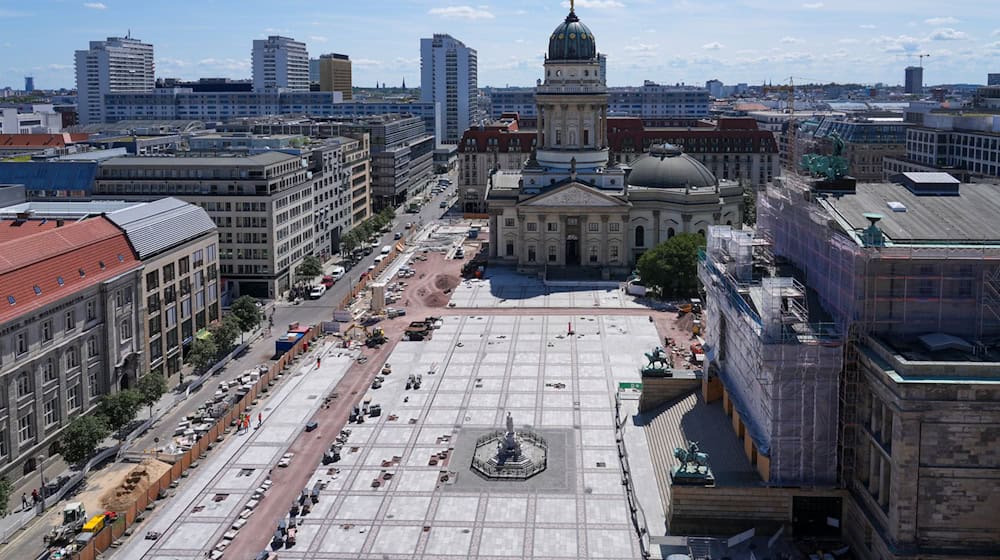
{"x":566,"y":207}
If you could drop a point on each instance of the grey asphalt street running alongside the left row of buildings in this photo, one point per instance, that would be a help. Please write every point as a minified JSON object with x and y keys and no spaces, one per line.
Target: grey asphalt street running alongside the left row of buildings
{"x":29,"y":543}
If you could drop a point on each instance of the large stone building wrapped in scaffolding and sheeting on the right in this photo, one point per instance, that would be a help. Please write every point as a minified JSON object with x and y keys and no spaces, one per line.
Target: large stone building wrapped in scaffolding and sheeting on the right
{"x":855,"y":334}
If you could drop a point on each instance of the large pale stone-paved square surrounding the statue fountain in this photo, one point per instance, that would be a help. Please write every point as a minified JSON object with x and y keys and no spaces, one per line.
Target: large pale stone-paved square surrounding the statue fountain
{"x":404,"y":488}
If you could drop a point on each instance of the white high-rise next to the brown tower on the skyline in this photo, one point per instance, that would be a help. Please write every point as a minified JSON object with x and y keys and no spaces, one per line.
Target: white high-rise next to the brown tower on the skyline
{"x":280,"y":63}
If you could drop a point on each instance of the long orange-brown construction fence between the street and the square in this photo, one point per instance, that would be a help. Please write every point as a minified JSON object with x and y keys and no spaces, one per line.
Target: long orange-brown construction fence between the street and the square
{"x":102,"y":540}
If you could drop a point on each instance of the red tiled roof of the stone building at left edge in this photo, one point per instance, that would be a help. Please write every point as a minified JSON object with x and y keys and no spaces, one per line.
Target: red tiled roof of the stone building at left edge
{"x":40,"y":259}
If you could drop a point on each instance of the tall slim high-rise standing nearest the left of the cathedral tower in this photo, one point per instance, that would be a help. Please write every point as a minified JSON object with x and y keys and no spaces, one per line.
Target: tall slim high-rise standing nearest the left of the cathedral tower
{"x":449,"y":76}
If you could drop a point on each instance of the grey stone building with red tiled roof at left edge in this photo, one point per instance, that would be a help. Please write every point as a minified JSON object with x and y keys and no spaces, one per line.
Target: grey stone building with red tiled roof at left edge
{"x":70,"y":330}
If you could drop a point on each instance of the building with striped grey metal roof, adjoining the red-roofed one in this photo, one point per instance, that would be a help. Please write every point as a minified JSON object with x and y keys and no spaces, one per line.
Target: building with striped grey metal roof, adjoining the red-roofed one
{"x":177,"y":244}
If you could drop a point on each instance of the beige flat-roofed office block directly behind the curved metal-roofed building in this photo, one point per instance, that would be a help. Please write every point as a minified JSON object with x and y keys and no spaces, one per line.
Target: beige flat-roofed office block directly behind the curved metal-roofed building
{"x":261,"y":204}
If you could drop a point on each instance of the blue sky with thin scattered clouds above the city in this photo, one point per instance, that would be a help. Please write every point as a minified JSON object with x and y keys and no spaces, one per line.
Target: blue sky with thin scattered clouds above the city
{"x":667,"y":41}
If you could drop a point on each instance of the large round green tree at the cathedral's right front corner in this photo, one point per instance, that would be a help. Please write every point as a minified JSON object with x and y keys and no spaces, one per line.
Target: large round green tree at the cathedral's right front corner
{"x":672,"y":266}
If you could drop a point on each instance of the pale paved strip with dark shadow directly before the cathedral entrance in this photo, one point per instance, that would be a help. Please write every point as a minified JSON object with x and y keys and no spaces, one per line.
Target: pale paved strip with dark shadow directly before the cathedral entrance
{"x":503,"y":287}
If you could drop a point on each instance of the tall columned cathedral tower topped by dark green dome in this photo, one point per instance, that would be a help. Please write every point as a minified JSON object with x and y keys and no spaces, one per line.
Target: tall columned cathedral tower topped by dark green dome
{"x":572,"y":101}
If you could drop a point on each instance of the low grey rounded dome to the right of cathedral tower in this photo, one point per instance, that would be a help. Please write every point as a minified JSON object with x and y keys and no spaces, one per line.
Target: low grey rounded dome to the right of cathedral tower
{"x":668,"y":167}
